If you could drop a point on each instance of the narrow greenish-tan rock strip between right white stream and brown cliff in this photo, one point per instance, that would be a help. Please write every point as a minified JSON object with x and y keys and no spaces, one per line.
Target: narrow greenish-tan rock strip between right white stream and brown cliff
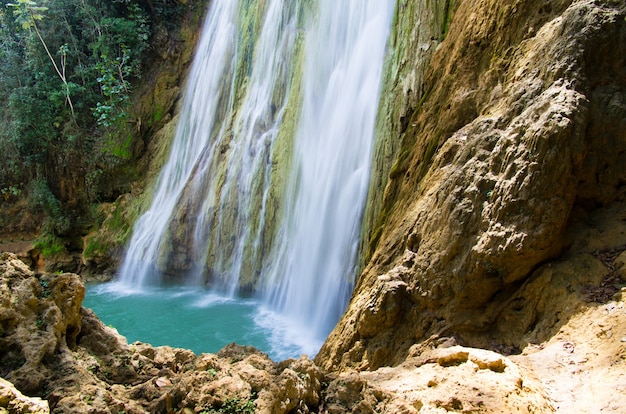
{"x":418,"y":29}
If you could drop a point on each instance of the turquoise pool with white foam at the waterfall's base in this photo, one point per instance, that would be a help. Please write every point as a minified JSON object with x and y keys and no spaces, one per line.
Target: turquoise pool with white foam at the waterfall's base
{"x":196,"y":319}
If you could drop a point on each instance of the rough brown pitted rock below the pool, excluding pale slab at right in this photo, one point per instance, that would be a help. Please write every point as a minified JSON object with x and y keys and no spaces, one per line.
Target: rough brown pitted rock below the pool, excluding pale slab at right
{"x":52,"y":347}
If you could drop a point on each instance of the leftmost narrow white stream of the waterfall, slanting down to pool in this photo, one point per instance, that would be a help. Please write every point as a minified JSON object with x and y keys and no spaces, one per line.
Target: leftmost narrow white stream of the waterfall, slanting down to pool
{"x":207,"y":93}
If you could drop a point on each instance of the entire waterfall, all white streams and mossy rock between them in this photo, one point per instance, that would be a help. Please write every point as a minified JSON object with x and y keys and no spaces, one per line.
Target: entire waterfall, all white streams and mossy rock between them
{"x":266,"y":181}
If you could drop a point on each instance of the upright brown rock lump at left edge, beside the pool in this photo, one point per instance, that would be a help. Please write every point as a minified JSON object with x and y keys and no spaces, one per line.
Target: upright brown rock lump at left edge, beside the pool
{"x":41,"y":317}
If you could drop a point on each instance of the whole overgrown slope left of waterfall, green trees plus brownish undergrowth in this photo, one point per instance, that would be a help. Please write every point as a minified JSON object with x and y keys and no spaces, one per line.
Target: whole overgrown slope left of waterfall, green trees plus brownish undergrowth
{"x":68,"y":72}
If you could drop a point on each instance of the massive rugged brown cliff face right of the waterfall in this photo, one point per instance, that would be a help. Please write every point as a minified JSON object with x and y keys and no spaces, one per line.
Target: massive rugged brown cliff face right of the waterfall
{"x":515,"y":151}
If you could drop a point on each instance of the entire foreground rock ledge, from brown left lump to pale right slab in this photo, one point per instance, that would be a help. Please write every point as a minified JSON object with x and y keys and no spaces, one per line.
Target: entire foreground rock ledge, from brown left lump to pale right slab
{"x":54,"y":349}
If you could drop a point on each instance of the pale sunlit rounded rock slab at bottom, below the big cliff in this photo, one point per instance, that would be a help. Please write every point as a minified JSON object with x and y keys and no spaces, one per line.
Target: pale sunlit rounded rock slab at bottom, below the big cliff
{"x":459,"y":379}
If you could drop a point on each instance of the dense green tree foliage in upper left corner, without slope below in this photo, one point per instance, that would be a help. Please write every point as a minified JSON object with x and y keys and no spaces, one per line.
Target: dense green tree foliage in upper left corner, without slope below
{"x":94,"y":47}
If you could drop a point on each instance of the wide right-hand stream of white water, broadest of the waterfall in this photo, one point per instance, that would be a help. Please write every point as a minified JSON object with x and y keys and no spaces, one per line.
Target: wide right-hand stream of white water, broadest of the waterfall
{"x":312,"y":275}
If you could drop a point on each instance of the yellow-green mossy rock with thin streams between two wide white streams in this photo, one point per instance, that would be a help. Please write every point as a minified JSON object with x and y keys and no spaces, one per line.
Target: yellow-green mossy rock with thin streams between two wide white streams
{"x":247,"y":179}
